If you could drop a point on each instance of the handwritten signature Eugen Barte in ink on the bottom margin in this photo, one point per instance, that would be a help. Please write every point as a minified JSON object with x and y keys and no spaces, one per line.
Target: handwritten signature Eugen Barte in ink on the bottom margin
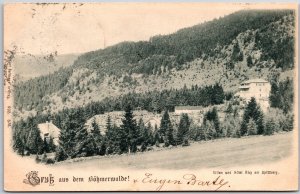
{"x":187,"y":179}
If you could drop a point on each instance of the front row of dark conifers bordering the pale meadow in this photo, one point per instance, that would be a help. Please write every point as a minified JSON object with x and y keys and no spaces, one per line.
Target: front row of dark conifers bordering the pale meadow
{"x":76,"y":140}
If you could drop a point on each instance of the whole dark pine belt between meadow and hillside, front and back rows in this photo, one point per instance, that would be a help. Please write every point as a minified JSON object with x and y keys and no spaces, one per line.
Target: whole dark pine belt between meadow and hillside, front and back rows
{"x":133,"y":136}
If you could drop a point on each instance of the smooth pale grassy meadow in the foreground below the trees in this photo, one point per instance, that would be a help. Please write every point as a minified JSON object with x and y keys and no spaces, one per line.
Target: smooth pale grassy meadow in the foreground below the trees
{"x":217,"y":153}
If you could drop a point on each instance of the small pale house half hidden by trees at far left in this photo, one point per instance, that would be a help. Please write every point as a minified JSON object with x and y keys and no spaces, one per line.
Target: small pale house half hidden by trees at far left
{"x":49,"y":130}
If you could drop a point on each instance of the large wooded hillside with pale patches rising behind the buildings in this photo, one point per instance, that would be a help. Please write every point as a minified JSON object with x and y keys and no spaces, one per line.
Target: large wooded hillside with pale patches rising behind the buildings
{"x":225,"y":51}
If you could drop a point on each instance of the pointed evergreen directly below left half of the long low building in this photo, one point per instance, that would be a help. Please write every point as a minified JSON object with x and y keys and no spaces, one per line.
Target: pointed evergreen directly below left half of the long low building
{"x":183,"y":128}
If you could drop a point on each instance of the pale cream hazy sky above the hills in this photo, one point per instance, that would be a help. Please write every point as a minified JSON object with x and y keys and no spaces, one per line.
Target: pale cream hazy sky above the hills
{"x":77,"y":28}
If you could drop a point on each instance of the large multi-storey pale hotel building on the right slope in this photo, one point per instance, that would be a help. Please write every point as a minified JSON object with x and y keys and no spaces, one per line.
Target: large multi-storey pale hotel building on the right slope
{"x":259,"y":89}
